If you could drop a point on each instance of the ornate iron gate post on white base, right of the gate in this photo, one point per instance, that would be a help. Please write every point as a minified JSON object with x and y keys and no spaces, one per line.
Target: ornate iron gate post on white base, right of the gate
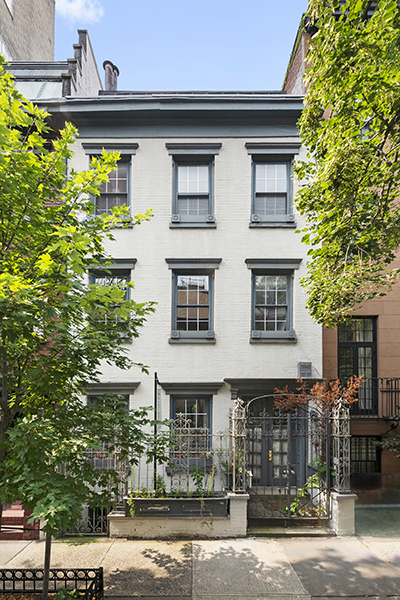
{"x":342,"y":500}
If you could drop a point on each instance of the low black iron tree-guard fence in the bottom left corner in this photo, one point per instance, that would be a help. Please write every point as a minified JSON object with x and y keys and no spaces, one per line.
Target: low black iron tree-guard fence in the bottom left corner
{"x":30,"y":581}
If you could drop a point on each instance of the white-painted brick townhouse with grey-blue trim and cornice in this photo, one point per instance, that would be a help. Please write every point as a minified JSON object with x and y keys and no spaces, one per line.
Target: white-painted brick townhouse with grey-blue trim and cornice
{"x":220,"y":256}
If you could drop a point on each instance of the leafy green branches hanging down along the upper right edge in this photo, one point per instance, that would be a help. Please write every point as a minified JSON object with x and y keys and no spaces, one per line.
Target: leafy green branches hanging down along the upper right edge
{"x":351,"y":180}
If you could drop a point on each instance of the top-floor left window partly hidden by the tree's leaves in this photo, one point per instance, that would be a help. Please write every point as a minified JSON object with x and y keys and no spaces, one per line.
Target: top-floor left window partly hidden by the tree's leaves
{"x":115,"y":192}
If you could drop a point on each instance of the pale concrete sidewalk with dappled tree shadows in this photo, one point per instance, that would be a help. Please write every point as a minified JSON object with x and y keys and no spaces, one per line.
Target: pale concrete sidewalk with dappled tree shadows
{"x":289,"y":569}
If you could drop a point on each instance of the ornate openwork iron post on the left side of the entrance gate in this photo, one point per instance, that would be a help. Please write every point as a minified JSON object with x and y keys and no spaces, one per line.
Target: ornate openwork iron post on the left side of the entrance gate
{"x":239,"y":446}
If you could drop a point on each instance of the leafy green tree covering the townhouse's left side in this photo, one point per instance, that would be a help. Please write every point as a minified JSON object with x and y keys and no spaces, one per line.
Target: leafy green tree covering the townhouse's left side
{"x":56,"y":328}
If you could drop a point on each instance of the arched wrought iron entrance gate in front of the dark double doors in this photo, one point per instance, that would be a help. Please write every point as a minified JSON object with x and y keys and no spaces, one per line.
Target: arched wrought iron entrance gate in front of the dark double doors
{"x":290,"y":459}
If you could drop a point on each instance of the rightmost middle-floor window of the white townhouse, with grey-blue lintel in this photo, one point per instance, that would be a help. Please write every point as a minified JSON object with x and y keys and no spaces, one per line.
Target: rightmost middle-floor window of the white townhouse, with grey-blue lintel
{"x":272,"y":293}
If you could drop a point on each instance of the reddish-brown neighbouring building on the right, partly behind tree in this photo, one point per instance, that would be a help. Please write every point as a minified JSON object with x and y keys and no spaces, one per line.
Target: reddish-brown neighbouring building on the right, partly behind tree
{"x":370,"y":346}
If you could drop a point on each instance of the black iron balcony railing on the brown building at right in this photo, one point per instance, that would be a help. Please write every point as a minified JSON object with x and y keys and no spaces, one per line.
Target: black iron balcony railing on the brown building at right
{"x":378,"y":397}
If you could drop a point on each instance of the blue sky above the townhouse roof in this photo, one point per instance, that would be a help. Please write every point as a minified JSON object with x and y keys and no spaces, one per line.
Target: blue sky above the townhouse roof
{"x":185,"y":44}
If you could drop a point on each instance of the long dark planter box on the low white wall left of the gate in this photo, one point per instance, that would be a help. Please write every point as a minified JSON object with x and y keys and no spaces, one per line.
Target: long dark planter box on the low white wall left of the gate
{"x":179,"y":507}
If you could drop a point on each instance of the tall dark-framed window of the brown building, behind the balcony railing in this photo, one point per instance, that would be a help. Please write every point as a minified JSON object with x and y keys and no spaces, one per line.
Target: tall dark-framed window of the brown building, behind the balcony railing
{"x":357,"y":356}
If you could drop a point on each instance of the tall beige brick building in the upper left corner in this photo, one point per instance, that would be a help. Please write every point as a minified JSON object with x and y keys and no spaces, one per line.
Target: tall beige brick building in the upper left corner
{"x":27,"y":29}
